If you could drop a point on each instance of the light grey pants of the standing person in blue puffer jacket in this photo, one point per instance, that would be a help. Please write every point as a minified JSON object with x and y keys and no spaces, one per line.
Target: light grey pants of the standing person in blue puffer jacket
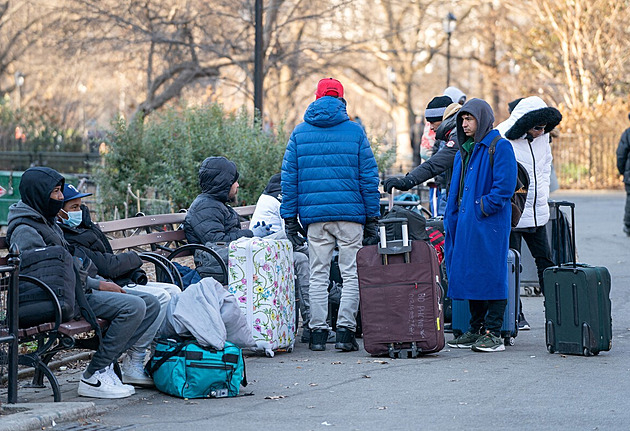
{"x":322,"y":238}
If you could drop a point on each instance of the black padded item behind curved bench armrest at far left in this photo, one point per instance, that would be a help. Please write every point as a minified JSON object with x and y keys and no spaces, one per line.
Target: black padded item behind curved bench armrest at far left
{"x":54,"y":266}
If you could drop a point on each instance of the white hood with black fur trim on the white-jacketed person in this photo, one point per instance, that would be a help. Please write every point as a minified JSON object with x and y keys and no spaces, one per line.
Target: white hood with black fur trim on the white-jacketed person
{"x":529,"y":112}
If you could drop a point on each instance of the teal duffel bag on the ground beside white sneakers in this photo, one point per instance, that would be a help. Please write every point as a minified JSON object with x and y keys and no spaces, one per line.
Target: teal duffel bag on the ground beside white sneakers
{"x":188,"y":370}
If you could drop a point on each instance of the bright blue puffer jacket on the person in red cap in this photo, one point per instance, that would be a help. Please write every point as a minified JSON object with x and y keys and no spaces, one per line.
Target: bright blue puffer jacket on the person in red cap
{"x":329,"y":172}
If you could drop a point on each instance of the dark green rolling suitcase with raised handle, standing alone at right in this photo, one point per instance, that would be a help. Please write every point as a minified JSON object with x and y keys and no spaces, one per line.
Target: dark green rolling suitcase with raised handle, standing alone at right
{"x":577,"y":305}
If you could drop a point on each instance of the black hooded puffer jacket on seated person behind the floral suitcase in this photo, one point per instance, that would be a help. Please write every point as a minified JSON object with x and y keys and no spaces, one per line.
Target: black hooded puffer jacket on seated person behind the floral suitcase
{"x":209,"y":218}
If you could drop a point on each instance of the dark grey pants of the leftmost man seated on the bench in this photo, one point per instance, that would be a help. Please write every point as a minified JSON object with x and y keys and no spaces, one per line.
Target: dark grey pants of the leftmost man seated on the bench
{"x":130,"y":315}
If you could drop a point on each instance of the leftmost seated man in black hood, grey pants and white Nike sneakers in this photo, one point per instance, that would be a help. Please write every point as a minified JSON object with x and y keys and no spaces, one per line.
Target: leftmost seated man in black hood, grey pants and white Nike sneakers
{"x":32,"y":226}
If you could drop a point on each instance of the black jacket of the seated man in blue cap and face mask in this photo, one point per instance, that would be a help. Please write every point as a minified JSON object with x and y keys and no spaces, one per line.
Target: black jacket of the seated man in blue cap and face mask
{"x":90,"y":240}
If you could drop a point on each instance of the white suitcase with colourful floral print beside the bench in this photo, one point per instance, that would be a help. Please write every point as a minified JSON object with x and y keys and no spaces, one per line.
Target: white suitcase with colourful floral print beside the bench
{"x":261,"y":276}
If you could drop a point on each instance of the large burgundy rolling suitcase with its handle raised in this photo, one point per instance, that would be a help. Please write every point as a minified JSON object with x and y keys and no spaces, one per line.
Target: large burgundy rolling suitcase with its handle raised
{"x":400,"y":295}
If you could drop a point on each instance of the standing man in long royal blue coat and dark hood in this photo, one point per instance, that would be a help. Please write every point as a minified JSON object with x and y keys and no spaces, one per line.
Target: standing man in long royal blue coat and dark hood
{"x":477,"y":225}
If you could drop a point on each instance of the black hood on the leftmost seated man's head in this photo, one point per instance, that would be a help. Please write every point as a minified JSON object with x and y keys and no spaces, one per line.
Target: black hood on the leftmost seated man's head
{"x":36,"y":186}
